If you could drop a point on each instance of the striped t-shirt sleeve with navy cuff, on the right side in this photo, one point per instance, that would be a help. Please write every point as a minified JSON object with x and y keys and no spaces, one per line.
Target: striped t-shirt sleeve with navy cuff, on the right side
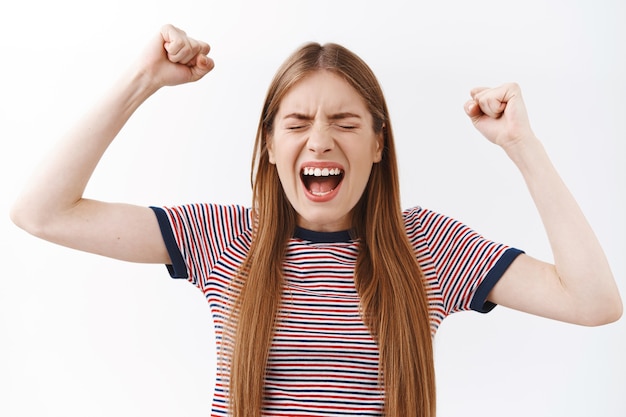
{"x":460,"y":266}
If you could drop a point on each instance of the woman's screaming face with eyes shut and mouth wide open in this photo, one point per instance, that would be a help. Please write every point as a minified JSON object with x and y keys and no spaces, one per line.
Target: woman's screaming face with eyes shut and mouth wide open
{"x":324,"y":146}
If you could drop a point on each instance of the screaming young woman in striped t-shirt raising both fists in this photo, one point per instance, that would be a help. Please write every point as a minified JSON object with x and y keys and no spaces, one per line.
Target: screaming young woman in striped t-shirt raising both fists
{"x":325,"y":293}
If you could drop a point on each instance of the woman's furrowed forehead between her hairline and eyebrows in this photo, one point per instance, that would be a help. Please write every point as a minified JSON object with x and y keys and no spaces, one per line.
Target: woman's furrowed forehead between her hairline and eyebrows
{"x":324,"y":91}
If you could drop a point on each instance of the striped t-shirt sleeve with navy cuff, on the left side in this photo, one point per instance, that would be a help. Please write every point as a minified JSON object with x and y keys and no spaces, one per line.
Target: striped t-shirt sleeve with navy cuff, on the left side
{"x":196,"y":236}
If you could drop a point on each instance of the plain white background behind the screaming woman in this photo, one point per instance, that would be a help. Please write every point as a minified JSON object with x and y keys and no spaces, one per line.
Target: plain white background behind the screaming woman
{"x":81,"y":335}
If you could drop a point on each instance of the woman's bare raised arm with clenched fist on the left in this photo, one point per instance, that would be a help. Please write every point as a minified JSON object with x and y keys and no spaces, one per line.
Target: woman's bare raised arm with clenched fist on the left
{"x":52,"y":206}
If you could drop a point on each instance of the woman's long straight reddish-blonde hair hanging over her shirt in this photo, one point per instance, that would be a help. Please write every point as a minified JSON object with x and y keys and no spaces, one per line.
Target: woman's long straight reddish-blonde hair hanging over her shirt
{"x":387,"y":275}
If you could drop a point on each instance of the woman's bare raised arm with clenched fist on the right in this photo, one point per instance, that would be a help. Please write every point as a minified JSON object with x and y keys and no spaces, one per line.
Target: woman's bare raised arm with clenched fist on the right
{"x":579,"y":288}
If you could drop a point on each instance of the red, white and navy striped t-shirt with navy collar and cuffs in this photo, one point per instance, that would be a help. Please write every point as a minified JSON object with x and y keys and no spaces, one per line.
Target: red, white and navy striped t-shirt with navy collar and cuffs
{"x":323,"y":360}
